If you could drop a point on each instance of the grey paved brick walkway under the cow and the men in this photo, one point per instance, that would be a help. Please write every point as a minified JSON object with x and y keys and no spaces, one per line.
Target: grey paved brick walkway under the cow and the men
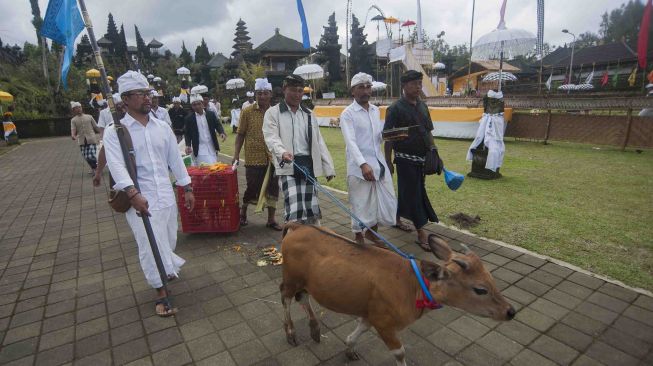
{"x":72,"y":292}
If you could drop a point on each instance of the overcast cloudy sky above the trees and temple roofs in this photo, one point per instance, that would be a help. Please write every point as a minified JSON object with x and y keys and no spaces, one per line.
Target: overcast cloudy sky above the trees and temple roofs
{"x":171,"y":21}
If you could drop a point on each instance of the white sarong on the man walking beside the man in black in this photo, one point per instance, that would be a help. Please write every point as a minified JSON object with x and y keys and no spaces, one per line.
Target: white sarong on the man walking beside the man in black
{"x":373,"y":202}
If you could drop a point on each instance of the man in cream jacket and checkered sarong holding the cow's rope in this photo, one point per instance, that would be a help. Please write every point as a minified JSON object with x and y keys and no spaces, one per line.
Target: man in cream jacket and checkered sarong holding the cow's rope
{"x":292,"y":135}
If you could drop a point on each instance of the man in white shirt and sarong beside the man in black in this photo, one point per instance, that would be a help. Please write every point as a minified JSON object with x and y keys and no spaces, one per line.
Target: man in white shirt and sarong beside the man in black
{"x":371,"y":193}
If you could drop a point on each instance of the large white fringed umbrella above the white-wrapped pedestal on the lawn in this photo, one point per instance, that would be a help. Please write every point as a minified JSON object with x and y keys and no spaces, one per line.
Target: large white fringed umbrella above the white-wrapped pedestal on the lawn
{"x":503,"y":42}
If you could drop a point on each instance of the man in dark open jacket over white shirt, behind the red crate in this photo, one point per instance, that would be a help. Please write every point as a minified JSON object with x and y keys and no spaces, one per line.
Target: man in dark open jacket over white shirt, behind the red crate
{"x":200,"y":132}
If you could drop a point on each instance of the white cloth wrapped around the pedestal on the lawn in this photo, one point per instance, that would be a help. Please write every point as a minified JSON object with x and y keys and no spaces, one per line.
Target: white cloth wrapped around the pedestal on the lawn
{"x":490,"y":132}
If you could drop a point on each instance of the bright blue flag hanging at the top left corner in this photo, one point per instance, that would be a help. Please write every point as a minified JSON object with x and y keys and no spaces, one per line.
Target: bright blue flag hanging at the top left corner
{"x":62,"y":24}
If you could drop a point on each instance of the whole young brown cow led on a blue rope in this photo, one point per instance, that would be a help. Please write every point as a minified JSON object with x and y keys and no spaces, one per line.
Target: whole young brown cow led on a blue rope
{"x":378,"y":286}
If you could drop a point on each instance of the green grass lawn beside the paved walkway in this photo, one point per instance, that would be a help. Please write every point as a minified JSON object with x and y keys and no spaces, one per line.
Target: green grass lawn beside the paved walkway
{"x":589,"y":206}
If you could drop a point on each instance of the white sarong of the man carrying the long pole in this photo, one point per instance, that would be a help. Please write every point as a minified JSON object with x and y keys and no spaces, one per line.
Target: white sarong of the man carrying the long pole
{"x":164,"y":226}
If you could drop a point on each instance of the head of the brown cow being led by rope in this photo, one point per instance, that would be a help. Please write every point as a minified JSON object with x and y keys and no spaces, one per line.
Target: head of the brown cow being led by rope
{"x":461,"y":281}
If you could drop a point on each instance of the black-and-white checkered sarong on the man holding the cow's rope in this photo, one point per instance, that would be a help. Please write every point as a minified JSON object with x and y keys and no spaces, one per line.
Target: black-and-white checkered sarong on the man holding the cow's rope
{"x":300,"y":200}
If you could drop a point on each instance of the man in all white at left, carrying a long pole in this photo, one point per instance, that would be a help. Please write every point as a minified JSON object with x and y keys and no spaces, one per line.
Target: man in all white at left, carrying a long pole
{"x":155,"y":150}
